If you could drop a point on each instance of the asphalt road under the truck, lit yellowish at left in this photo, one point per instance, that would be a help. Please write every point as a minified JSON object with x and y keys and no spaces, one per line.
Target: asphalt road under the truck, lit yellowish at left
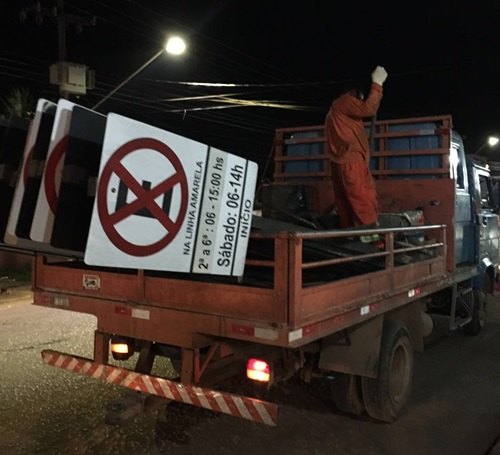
{"x":454,"y":408}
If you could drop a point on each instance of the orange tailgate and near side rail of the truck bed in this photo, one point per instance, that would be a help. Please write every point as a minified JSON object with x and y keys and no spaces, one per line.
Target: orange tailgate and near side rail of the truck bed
{"x":292,"y":312}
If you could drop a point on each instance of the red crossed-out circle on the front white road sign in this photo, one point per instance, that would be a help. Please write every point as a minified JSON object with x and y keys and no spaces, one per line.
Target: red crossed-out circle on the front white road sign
{"x":145,"y":198}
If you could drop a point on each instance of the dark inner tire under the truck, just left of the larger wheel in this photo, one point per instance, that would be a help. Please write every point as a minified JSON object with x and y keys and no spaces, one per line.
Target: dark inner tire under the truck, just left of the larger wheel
{"x":345,"y":390}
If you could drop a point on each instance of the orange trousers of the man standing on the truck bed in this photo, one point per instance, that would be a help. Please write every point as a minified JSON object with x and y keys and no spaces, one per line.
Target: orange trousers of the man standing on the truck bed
{"x":355,"y":194}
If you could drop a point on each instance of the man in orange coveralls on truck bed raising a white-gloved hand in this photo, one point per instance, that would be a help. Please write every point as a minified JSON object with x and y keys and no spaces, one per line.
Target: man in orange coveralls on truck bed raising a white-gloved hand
{"x":353,"y":184}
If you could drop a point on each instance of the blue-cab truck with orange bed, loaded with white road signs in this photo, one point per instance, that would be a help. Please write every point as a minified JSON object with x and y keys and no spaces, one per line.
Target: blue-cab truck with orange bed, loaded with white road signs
{"x":171,"y":267}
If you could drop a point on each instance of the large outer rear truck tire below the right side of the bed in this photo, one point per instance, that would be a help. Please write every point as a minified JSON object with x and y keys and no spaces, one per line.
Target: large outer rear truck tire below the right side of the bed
{"x":385,"y":396}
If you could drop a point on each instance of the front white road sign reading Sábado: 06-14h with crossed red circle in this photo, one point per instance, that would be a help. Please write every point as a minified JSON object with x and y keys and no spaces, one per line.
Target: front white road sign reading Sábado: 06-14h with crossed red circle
{"x":165,"y":202}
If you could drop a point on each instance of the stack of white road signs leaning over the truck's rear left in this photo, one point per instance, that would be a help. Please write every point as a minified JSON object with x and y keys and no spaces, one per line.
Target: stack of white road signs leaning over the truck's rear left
{"x":120,"y":193}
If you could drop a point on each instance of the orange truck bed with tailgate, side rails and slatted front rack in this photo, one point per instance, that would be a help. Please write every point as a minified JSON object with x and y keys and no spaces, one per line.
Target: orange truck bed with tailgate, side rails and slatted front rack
{"x":299,"y":283}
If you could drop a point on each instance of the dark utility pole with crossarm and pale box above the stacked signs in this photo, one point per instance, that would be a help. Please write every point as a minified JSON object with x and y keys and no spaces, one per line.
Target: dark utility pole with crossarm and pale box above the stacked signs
{"x":70,"y":77}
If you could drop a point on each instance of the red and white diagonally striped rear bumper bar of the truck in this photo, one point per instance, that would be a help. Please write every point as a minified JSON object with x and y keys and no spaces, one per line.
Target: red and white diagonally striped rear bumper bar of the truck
{"x":227,"y":403}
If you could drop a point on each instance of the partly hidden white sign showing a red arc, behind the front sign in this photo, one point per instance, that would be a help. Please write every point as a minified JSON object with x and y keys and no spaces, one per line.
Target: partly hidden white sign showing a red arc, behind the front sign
{"x":43,"y":219}
